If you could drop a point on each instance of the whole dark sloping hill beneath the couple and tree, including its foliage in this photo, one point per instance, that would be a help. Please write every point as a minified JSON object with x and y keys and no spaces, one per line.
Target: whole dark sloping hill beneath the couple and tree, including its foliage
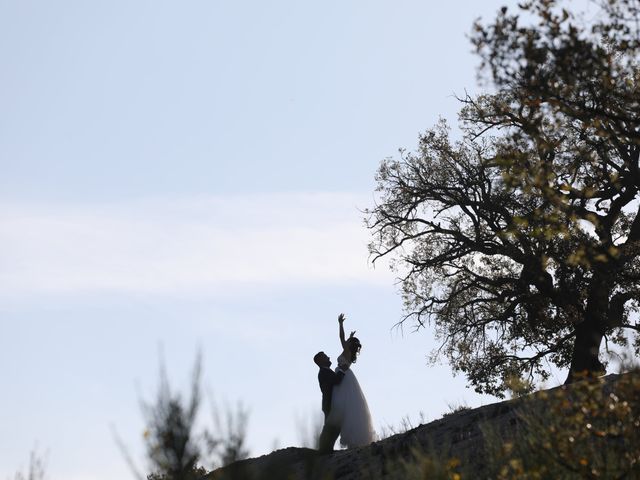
{"x":590,"y":429}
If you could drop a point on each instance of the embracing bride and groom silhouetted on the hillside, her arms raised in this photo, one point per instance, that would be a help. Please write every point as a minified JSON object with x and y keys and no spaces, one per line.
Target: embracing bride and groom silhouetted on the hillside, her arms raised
{"x":346,"y":413}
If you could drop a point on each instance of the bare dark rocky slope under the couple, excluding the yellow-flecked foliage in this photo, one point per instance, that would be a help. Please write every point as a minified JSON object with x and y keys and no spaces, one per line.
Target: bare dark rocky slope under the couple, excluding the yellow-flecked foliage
{"x":461,"y":435}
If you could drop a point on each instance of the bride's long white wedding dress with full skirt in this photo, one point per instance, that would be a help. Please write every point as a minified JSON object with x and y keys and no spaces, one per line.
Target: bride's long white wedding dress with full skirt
{"x":349,"y":406}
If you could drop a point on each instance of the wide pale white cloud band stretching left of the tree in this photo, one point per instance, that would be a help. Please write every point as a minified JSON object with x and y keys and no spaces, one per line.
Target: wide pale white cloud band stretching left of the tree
{"x":189,"y":245}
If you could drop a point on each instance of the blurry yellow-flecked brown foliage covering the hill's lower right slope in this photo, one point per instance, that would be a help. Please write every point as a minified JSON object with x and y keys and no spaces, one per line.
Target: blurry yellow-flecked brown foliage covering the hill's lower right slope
{"x":590,"y":429}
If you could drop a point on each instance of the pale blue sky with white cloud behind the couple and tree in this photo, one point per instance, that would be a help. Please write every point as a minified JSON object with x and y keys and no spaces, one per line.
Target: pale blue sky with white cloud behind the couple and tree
{"x":184,"y":177}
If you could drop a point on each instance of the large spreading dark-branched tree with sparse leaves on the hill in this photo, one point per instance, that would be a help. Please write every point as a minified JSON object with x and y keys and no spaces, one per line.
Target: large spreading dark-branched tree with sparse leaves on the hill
{"x":519,"y":242}
